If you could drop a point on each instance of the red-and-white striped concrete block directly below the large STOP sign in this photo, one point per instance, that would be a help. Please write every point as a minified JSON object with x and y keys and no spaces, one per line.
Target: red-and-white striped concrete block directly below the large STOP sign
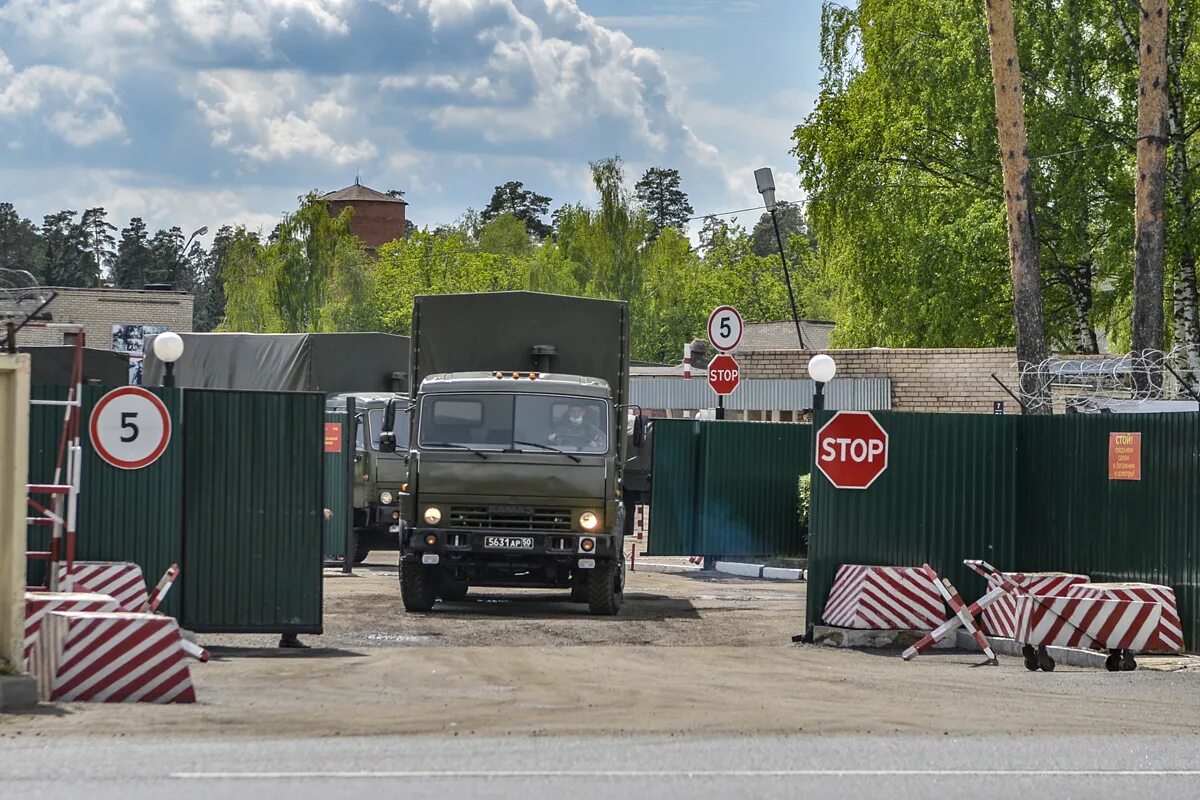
{"x":884,"y":599}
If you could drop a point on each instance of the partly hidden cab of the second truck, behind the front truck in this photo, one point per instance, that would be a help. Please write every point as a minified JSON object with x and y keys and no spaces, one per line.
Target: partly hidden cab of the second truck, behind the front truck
{"x":379,"y":474}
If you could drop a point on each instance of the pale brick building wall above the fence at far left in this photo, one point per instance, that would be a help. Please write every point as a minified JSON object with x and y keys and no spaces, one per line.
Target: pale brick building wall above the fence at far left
{"x":99,"y":310}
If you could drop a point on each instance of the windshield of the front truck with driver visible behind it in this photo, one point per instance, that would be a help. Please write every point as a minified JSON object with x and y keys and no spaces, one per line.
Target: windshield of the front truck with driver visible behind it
{"x":517,"y":423}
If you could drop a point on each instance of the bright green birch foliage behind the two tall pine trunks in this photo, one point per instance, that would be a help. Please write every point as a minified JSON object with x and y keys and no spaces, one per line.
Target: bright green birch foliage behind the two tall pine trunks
{"x":899,"y":160}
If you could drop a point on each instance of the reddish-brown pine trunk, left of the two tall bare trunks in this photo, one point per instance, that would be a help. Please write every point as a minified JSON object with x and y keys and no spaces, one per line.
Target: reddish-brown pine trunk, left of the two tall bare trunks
{"x":1015,"y":159}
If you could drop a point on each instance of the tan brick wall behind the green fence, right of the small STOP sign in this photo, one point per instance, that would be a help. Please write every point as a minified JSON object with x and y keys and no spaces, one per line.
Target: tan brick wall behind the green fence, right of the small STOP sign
{"x":922,"y":381}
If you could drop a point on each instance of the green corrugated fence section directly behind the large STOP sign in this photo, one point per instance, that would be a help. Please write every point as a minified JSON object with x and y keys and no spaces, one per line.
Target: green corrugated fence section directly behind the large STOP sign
{"x":947,"y":495}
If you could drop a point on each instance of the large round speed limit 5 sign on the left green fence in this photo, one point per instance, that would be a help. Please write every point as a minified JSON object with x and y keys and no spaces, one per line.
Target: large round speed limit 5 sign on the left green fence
{"x":130,"y":428}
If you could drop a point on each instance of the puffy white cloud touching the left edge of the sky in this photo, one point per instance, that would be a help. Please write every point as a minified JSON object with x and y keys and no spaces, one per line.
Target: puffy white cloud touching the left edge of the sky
{"x":79,"y":107}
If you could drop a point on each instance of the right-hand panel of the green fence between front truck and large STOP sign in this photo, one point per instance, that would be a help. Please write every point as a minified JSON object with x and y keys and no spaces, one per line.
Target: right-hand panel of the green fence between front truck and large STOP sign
{"x":748,"y":488}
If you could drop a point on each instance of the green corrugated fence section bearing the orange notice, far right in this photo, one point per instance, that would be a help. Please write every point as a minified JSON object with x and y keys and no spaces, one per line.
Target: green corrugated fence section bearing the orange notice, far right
{"x":1075,"y":519}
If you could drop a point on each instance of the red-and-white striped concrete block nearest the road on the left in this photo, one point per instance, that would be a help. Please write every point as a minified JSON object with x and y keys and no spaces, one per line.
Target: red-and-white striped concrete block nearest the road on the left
{"x":112,"y":658}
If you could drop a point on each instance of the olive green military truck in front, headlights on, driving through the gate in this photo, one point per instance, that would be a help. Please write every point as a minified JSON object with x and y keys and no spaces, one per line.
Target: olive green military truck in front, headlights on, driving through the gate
{"x":518,"y":448}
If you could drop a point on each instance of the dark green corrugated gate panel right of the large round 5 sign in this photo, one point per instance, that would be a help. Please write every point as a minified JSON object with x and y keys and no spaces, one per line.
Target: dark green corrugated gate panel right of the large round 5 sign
{"x":254,"y":480}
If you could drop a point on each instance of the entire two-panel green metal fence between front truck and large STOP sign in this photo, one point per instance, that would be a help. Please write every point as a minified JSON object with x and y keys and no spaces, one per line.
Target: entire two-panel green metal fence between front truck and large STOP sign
{"x":728,"y":489}
